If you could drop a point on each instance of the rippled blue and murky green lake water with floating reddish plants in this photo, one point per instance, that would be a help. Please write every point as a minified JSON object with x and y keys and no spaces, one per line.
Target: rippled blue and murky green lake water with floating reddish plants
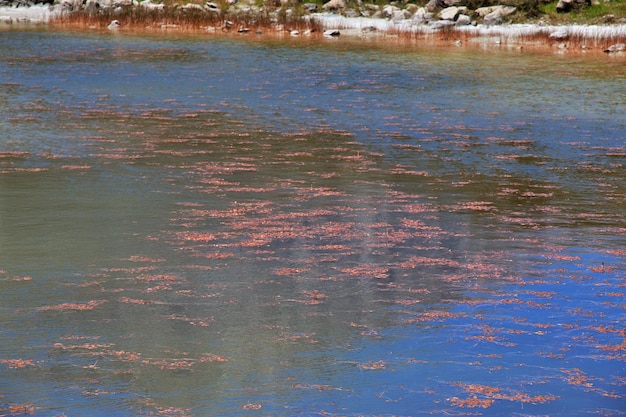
{"x":206,"y":226}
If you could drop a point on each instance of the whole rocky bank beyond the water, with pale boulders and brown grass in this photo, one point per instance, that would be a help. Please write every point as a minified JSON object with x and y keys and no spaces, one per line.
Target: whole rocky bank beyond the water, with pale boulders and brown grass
{"x":457,"y":19}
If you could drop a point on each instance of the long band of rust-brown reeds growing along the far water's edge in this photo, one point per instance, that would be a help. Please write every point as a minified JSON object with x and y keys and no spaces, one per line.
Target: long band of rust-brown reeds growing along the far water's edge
{"x":190,"y":19}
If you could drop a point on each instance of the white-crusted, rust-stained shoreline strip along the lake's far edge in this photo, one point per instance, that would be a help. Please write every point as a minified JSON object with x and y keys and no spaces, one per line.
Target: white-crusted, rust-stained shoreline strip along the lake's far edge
{"x":610,"y":38}
